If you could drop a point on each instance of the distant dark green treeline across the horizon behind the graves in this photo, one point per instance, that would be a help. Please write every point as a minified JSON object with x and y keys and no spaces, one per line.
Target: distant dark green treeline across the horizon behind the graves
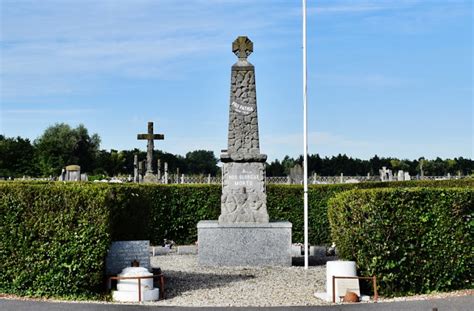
{"x":61,"y":145}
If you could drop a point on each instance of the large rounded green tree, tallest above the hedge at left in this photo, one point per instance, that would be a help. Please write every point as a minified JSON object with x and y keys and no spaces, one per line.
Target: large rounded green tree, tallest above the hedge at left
{"x":61,"y":145}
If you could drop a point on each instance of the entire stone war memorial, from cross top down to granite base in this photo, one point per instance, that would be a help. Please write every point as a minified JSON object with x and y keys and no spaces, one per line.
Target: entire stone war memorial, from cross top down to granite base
{"x":243,"y":235}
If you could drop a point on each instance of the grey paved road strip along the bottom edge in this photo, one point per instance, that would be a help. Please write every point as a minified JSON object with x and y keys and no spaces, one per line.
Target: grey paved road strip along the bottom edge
{"x":465,"y":303}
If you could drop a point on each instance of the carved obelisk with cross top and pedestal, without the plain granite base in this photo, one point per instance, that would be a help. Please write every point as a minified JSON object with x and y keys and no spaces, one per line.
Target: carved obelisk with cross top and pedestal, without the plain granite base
{"x":243,"y":187}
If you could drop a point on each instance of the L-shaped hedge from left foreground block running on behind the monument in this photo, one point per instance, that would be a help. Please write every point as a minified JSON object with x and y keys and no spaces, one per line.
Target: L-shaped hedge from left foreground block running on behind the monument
{"x":54,"y":236}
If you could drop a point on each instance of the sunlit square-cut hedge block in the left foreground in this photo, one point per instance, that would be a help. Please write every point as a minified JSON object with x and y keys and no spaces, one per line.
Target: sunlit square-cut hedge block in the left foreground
{"x":53,"y":239}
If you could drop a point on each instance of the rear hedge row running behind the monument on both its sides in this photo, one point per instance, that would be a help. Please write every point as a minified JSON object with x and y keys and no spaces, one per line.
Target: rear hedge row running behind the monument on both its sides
{"x":155,"y":212}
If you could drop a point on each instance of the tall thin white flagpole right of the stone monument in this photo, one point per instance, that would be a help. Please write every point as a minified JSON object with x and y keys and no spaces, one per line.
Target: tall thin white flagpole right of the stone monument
{"x":305,"y":142}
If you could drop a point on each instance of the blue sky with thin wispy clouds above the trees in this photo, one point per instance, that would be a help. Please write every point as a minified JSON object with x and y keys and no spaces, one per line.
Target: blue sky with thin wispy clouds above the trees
{"x":392,"y":78}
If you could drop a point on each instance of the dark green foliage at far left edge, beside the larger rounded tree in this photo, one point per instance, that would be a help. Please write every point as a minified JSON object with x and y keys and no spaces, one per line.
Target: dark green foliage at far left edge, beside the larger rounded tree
{"x":16,"y":157}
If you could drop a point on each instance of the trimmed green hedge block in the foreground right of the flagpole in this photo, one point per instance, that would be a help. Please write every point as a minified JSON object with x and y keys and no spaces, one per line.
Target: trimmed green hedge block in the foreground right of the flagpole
{"x":414,"y":240}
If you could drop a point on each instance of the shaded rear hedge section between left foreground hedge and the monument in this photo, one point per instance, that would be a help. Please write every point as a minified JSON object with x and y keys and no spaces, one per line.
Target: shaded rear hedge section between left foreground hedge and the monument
{"x":155,"y":212}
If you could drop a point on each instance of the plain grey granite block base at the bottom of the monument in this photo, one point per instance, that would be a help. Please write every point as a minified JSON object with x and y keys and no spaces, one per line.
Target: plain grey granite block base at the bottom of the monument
{"x":244,"y":244}
